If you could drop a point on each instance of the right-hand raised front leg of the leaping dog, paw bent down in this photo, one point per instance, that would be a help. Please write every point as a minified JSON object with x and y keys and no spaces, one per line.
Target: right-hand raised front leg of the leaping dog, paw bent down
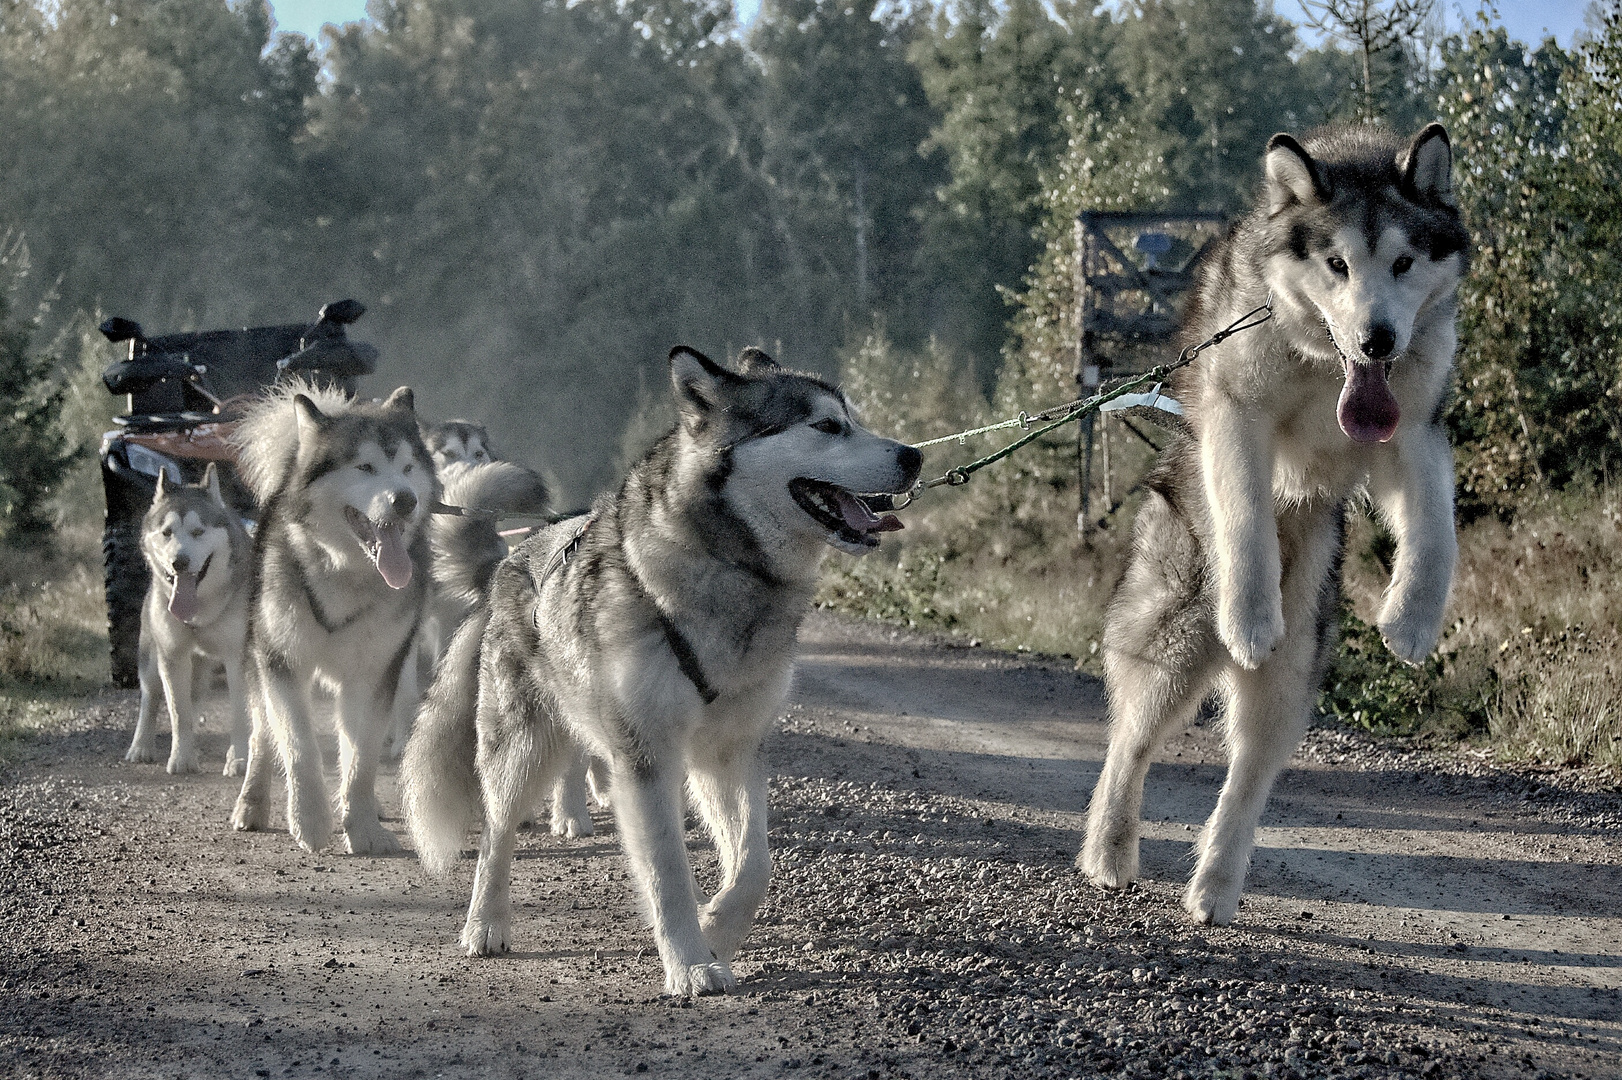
{"x":1414,"y":492}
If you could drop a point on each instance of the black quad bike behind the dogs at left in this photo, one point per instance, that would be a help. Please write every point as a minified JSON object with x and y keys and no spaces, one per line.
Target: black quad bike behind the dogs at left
{"x":186,"y":393}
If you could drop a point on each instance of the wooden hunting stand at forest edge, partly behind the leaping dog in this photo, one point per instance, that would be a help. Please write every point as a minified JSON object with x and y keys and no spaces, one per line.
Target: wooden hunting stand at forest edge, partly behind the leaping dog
{"x":1133,"y":273}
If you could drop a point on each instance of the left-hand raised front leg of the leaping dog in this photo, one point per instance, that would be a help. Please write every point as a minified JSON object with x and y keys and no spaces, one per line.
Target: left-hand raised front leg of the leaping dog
{"x":1237,"y":465}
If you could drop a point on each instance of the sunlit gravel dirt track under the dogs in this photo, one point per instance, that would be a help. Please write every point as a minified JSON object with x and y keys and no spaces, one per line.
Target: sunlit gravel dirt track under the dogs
{"x":1405,"y":915}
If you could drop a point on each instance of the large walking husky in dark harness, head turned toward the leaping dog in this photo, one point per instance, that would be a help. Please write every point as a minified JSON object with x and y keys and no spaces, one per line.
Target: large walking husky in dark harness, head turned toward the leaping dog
{"x":658,"y":633}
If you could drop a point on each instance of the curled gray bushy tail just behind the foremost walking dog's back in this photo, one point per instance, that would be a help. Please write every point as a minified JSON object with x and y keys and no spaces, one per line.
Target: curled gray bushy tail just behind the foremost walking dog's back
{"x":466,"y":551}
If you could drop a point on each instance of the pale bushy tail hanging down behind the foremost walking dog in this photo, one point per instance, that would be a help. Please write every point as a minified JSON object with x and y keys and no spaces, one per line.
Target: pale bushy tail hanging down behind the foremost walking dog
{"x":439,"y":782}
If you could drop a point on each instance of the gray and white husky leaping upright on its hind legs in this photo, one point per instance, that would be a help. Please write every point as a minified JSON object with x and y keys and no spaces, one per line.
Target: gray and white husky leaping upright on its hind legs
{"x":1234,"y":581}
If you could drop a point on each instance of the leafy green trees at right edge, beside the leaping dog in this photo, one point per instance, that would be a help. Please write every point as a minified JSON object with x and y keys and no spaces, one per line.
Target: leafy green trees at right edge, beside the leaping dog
{"x":1535,"y":134}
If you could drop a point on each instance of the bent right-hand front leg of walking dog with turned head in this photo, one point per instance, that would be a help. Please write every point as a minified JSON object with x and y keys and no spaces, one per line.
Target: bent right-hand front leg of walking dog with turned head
{"x":731,"y":794}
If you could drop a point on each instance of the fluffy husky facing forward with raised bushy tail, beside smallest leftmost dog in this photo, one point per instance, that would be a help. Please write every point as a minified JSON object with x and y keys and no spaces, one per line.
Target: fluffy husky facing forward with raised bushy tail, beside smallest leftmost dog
{"x":340,"y":583}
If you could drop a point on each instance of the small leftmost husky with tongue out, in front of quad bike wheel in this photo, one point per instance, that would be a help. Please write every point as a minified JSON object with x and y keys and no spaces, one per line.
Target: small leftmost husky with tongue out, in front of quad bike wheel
{"x":195,"y":617}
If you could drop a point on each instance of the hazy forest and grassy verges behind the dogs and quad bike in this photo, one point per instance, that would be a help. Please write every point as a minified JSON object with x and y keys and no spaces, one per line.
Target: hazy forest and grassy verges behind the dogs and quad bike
{"x":538,"y":199}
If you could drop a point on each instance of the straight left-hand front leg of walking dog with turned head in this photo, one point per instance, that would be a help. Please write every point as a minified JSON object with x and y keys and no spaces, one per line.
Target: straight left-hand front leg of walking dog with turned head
{"x":650,"y":810}
